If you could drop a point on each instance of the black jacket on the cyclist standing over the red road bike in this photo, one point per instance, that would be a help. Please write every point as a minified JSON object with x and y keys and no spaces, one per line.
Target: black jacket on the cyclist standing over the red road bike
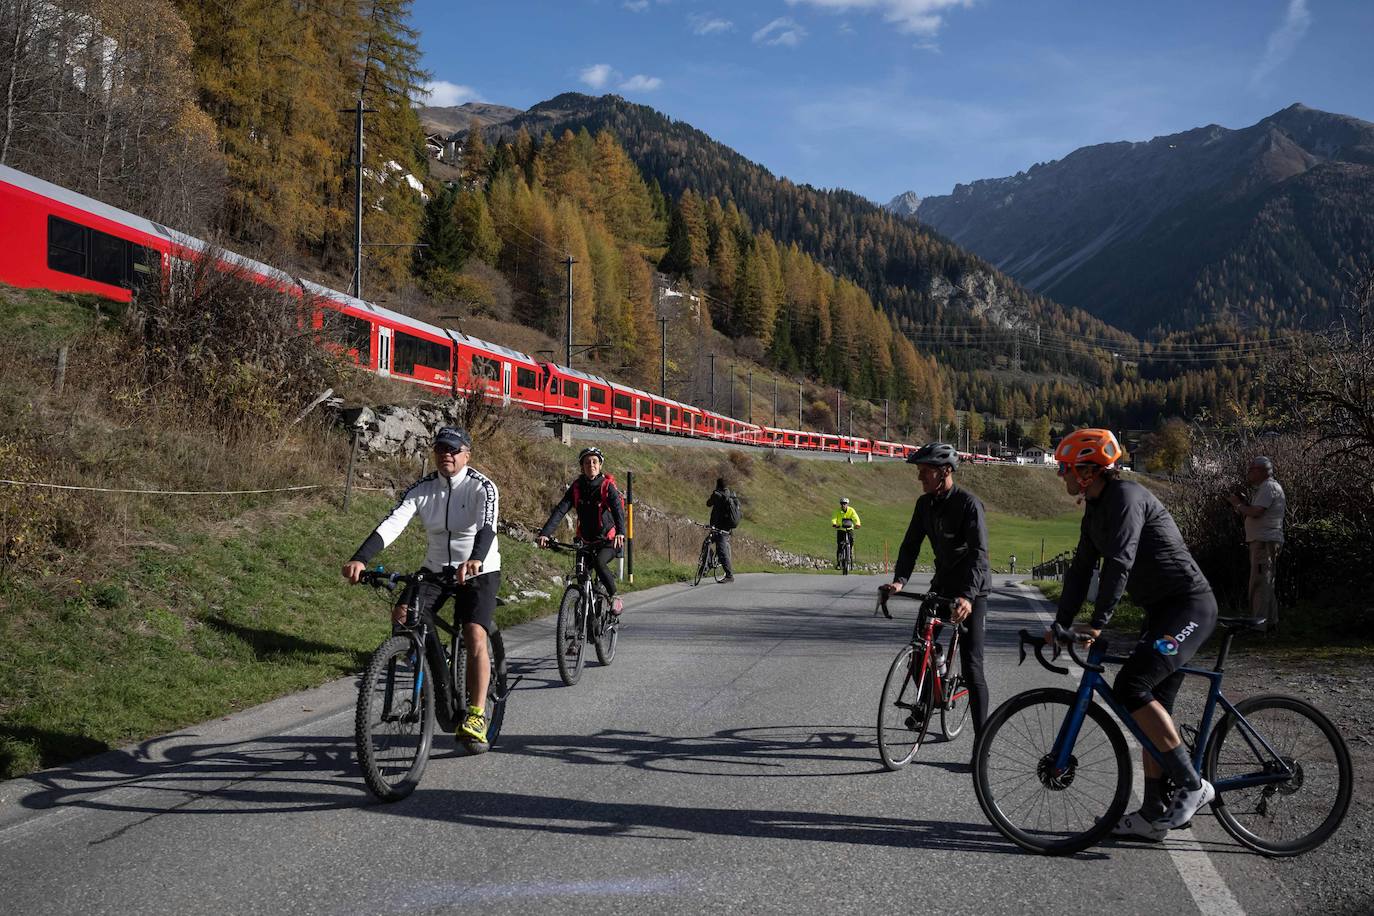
{"x":958,"y":536}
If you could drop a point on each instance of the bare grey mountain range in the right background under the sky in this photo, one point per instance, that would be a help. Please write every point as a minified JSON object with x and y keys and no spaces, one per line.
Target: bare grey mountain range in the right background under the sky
{"x":1258,"y":227}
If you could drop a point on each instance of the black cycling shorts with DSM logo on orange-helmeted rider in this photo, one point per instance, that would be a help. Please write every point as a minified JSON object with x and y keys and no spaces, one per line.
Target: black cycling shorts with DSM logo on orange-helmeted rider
{"x":1174,"y":632}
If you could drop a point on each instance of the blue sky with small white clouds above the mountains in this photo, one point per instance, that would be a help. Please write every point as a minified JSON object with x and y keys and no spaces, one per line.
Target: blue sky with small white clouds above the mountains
{"x":883,"y":97}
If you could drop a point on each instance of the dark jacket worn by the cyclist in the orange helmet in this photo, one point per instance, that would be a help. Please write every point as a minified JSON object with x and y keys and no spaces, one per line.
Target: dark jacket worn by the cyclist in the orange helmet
{"x":1141,"y":550}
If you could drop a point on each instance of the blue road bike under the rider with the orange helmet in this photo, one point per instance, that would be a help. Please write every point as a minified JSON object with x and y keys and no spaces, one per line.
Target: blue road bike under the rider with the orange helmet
{"x":1053,"y":771}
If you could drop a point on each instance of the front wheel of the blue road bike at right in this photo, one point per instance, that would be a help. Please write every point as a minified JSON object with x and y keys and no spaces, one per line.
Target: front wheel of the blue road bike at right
{"x":1026,"y":797}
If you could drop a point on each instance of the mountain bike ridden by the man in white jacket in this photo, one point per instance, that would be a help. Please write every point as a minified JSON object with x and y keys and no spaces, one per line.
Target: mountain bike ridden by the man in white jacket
{"x":413,"y":682}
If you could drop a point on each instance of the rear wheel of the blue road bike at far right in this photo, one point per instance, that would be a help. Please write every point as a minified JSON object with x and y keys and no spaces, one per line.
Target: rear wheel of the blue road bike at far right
{"x":1299,"y":814}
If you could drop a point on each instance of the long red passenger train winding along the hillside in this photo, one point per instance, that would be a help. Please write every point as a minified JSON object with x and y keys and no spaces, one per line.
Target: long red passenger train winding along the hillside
{"x":57,"y":240}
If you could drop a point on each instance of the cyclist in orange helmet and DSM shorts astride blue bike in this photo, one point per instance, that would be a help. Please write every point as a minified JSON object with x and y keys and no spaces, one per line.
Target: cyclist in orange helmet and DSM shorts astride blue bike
{"x":1140,"y":547}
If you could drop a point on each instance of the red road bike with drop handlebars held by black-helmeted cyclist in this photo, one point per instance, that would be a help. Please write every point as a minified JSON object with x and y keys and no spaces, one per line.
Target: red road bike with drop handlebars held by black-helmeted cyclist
{"x":924,"y":678}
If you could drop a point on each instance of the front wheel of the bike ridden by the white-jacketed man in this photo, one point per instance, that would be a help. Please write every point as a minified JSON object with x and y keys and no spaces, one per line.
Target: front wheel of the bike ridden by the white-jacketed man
{"x":395,"y":719}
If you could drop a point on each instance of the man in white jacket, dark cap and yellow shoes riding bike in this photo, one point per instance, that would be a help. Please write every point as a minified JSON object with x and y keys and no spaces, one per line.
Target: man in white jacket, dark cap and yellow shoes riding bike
{"x":458,"y":507}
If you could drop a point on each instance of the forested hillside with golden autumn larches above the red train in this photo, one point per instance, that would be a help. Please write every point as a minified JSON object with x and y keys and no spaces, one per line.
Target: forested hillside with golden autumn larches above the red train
{"x":232,"y":119}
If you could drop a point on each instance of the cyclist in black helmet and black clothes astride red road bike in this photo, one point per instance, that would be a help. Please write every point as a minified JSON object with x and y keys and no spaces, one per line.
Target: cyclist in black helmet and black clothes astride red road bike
{"x":954,"y":521}
